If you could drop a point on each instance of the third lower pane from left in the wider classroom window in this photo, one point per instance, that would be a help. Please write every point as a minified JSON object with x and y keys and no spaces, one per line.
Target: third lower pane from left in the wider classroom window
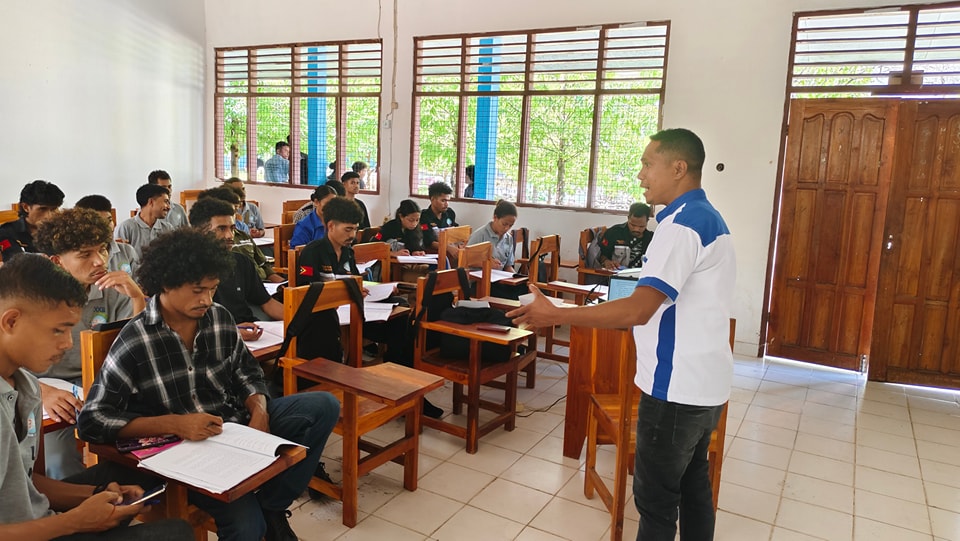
{"x":558,"y":154}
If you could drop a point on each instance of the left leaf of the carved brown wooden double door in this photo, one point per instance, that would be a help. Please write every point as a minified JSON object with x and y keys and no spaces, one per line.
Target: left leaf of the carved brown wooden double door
{"x":833,"y":200}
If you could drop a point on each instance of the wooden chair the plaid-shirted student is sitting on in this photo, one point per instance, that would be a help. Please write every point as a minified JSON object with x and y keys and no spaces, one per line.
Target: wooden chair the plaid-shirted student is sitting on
{"x":94,"y":346}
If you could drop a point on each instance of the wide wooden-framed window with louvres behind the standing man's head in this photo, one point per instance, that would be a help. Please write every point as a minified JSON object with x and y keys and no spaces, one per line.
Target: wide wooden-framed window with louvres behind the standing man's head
{"x":554,"y":118}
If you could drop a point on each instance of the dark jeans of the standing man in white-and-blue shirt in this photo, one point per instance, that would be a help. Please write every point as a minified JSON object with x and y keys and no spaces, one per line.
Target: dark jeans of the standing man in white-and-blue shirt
{"x":671,"y":476}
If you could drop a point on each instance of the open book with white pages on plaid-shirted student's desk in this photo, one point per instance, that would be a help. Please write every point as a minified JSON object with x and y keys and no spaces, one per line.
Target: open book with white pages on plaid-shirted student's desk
{"x":218,"y":463}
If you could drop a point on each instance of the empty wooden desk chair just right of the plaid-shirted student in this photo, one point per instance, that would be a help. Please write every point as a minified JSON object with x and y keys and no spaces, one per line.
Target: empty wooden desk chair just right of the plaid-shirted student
{"x":370,"y":398}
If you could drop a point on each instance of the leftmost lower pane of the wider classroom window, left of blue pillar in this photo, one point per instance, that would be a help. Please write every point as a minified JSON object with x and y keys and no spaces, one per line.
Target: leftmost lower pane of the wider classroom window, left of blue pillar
{"x":436,"y":150}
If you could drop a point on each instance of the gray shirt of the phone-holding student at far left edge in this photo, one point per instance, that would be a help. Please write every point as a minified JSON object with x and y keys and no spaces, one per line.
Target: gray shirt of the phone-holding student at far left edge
{"x":21,"y":415}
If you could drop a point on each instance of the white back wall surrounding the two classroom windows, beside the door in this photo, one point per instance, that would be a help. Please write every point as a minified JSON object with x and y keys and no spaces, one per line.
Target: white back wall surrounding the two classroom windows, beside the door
{"x":725,"y":80}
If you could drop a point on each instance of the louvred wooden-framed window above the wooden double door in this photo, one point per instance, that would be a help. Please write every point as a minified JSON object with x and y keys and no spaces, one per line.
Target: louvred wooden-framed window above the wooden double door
{"x":899,"y":50}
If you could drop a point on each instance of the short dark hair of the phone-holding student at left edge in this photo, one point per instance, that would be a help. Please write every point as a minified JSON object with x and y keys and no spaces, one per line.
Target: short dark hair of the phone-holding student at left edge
{"x":35,"y":278}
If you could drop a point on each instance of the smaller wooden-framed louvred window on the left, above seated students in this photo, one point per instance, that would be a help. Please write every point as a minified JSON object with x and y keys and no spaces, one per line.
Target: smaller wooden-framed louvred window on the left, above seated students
{"x":320,"y":99}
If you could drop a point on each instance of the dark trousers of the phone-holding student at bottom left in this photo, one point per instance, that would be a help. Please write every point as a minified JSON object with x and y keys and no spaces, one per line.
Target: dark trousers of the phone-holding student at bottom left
{"x":162,"y":530}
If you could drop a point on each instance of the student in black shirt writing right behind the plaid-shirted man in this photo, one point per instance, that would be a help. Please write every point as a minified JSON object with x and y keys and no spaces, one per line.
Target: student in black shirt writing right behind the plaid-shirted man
{"x":242,"y":288}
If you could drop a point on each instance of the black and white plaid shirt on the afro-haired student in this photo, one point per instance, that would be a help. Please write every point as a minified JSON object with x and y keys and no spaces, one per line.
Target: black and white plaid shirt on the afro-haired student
{"x":148,"y":372}
